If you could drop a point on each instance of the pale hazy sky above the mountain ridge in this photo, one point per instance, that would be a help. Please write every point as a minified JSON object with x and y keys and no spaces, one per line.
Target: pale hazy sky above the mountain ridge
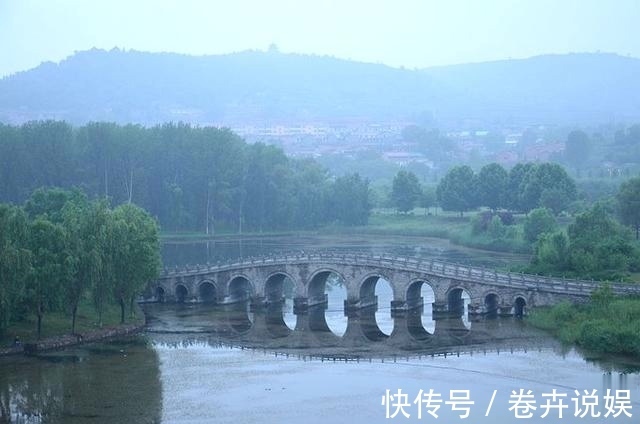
{"x":410,"y":33}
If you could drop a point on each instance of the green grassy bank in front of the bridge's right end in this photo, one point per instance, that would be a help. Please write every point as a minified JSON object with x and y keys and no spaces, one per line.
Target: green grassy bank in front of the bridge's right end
{"x":604,"y":326}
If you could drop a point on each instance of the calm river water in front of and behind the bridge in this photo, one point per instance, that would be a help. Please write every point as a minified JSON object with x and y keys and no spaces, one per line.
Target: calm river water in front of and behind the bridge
{"x":215,"y":364}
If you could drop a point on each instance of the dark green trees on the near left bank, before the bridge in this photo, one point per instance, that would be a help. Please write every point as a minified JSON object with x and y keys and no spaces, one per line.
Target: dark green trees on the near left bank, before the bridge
{"x":60,"y":249}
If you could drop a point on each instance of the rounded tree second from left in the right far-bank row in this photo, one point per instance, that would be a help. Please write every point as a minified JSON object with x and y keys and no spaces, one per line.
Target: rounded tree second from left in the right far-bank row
{"x":457,"y":190}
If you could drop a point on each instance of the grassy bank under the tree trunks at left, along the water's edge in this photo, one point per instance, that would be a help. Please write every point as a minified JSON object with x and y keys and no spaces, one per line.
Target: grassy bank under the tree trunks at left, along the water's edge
{"x":57,"y":324}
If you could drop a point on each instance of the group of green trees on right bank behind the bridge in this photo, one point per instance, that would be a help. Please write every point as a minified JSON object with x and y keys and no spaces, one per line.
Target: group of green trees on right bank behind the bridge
{"x":597,"y":244}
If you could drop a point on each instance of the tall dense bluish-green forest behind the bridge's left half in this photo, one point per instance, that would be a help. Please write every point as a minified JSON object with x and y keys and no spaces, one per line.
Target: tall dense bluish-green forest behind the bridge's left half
{"x":190,"y":178}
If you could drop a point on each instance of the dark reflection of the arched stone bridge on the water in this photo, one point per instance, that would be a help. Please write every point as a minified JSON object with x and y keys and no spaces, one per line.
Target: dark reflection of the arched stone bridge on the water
{"x":237,"y":325}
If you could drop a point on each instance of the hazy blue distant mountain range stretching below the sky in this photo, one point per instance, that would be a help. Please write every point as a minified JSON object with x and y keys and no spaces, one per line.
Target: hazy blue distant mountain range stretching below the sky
{"x":258,"y":88}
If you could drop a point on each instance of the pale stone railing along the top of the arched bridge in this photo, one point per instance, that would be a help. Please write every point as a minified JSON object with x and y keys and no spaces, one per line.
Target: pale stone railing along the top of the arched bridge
{"x":430,"y":266}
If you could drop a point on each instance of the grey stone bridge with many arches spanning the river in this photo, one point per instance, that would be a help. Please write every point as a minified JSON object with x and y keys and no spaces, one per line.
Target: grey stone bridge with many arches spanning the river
{"x":260,"y":281}
